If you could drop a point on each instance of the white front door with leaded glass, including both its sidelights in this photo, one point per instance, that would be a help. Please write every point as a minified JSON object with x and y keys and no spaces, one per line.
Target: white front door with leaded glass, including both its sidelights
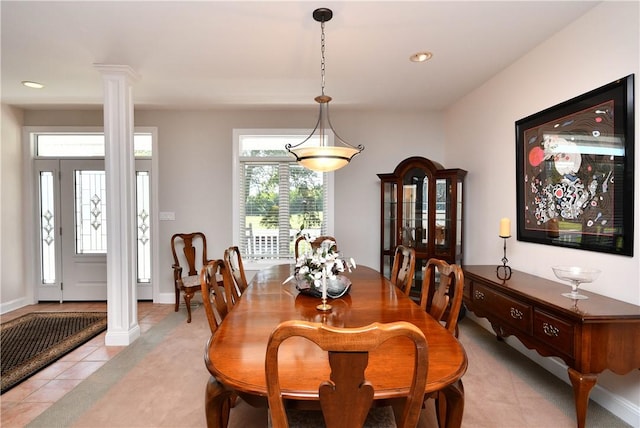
{"x":73,"y":245}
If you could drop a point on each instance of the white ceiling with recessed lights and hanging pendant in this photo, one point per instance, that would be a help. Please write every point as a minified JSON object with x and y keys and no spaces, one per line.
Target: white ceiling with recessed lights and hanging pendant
{"x":205,"y":54}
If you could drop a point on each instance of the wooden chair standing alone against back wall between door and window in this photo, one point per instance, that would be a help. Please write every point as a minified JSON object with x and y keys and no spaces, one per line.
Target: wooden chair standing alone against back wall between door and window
{"x":187,"y":261}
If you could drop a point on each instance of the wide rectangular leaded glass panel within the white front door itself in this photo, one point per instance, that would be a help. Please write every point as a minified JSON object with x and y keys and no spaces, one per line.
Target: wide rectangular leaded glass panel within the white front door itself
{"x":90,"y":210}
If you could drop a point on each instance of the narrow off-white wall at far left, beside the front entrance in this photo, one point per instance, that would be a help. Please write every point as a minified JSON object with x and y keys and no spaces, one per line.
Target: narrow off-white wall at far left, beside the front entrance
{"x":11,"y":225}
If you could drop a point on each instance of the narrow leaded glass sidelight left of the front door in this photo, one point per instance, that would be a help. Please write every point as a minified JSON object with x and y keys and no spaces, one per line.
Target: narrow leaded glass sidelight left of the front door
{"x":47,"y":231}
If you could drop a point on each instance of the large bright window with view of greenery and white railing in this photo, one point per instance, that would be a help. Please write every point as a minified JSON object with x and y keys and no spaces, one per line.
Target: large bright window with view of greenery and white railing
{"x":274,"y":197}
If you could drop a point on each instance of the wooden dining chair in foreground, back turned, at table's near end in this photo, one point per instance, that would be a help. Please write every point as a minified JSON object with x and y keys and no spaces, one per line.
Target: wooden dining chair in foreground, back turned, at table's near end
{"x":346,"y":398}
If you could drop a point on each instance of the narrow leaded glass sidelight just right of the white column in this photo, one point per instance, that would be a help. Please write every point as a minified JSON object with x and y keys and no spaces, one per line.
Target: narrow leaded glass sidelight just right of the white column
{"x":143,"y":198}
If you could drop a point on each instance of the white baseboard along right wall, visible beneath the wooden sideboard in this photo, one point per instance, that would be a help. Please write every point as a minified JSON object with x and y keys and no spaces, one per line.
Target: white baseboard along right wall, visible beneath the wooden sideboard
{"x":614,"y":403}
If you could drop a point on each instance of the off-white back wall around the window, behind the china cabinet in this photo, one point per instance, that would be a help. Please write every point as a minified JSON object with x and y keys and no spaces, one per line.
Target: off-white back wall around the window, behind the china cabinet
{"x":195,"y":161}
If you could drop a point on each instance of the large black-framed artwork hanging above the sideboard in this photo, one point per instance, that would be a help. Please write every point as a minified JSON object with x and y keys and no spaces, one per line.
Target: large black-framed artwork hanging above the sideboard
{"x":575,"y":171}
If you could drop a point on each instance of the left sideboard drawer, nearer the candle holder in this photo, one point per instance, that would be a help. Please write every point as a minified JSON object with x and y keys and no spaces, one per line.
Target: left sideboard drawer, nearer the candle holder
{"x":511,"y":311}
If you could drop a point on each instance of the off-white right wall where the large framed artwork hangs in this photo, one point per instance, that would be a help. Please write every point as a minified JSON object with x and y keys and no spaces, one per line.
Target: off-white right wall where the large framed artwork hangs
{"x":597,"y":49}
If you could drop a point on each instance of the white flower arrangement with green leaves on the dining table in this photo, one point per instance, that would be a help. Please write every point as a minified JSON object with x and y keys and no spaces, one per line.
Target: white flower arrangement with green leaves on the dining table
{"x":317,"y":271}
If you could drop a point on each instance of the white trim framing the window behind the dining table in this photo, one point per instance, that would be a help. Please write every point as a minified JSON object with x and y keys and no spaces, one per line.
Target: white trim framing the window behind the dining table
{"x":253,"y":265}
